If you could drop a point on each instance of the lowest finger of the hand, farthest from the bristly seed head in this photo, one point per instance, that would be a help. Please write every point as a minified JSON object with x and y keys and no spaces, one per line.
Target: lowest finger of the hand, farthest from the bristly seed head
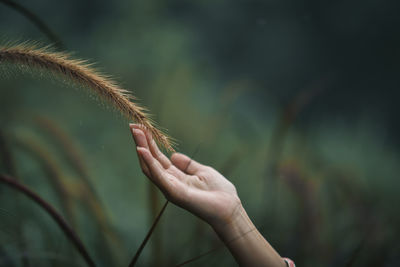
{"x":158,"y":174}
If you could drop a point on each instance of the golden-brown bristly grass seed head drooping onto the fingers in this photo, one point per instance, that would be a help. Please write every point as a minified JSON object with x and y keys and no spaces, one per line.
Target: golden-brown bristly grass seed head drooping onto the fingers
{"x":81,"y":73}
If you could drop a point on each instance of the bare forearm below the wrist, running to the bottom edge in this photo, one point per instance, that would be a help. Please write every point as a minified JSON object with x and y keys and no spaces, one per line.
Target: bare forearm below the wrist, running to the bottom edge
{"x":245,"y":242}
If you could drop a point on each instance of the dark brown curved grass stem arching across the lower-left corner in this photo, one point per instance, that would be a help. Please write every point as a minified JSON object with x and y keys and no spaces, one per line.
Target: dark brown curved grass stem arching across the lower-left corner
{"x":72,"y":236}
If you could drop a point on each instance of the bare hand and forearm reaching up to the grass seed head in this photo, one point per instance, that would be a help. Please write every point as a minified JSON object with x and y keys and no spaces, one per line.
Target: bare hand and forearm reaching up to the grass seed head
{"x":204,"y":192}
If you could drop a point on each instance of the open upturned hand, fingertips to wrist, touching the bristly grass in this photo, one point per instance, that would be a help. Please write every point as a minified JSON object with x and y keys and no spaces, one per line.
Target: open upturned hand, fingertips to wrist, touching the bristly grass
{"x":195,"y":187}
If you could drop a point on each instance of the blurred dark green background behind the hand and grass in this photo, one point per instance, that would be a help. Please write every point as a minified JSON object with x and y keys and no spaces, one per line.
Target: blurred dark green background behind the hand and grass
{"x":295,"y":102}
